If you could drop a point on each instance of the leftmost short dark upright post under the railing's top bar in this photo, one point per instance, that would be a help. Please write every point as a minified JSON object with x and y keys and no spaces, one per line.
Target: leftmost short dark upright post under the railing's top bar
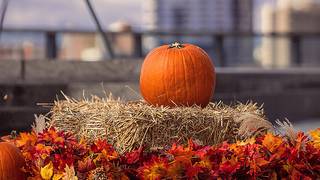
{"x":51,"y":46}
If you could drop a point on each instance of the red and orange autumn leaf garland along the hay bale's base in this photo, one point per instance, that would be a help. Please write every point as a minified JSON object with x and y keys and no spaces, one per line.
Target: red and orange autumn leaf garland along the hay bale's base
{"x":58,"y":155}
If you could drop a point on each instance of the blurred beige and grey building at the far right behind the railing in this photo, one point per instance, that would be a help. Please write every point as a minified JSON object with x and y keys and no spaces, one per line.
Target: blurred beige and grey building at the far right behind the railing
{"x":289,"y":16}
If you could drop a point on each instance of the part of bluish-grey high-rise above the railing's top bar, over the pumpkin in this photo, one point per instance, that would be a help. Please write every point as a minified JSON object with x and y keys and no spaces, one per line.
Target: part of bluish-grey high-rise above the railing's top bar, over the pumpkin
{"x":200,"y":15}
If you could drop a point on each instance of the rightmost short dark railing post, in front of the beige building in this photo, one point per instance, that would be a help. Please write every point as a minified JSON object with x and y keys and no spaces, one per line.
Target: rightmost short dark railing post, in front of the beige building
{"x":296,"y":49}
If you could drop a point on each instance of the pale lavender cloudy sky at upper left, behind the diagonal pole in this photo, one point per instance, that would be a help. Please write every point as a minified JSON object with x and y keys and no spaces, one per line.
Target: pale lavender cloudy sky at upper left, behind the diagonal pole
{"x":70,"y":14}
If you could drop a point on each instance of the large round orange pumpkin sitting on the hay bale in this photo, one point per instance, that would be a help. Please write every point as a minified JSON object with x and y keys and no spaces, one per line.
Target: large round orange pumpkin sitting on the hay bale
{"x":177,"y":74}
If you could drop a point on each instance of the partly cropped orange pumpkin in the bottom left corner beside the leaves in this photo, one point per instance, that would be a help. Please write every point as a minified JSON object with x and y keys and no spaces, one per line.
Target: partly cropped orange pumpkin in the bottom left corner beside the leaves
{"x":11,"y":162}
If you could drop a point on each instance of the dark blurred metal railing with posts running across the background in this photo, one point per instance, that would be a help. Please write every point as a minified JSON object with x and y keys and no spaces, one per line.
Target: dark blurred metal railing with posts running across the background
{"x":218,"y":40}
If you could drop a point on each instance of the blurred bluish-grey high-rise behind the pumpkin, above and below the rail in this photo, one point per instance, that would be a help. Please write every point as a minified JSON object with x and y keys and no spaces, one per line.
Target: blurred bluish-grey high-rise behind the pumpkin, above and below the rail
{"x":219,"y":16}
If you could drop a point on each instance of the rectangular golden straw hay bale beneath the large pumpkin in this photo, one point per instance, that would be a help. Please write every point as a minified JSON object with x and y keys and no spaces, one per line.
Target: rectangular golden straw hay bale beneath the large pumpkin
{"x":128,"y":125}
